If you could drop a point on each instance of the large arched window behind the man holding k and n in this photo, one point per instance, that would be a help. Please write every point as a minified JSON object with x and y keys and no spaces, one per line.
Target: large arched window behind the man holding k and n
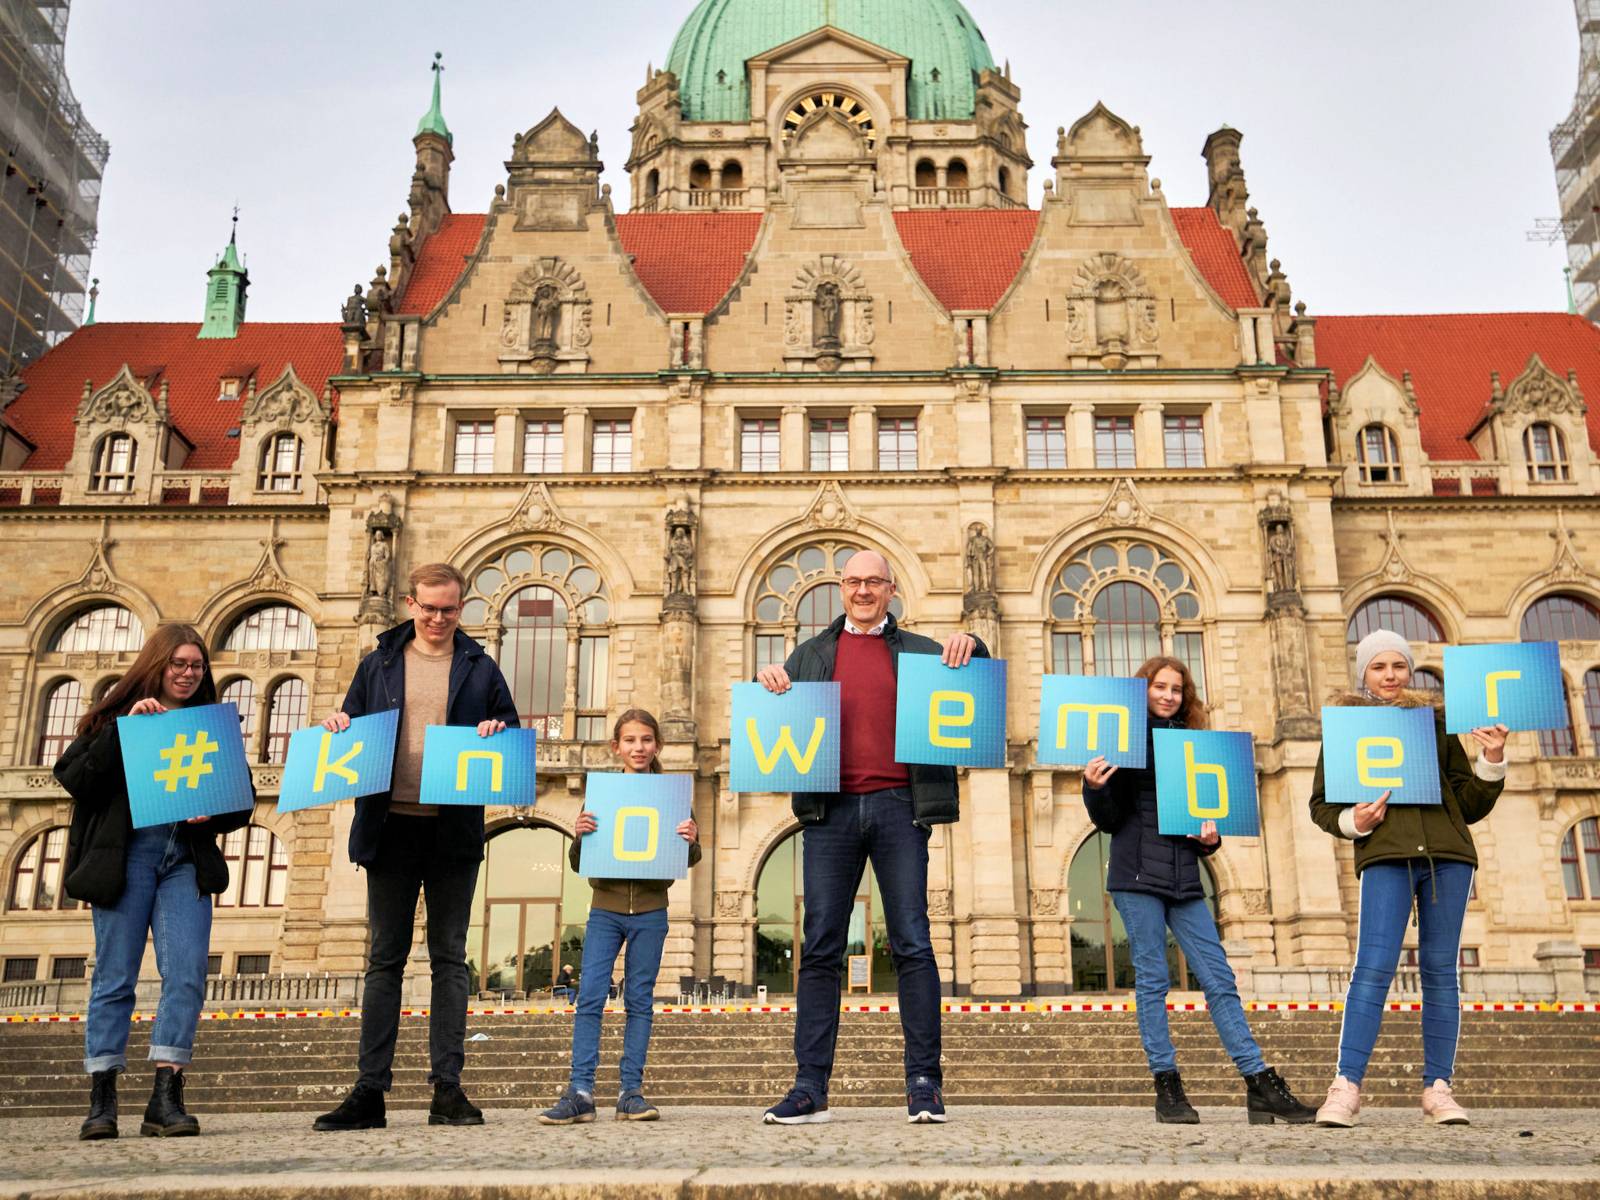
{"x":545,"y":615}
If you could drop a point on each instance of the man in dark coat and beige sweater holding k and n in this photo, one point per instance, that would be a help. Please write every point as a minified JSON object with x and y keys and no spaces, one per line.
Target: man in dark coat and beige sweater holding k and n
{"x":434,"y":674}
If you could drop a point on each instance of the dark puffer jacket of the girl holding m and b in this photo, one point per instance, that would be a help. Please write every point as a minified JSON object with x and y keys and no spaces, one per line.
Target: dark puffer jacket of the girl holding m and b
{"x":1142,"y":857}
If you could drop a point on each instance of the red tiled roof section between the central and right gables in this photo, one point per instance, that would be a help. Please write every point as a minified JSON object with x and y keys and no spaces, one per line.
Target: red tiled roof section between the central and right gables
{"x":967,"y":258}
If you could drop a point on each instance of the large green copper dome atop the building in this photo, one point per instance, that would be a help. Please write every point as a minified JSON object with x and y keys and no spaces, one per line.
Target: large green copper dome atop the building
{"x":940,"y":38}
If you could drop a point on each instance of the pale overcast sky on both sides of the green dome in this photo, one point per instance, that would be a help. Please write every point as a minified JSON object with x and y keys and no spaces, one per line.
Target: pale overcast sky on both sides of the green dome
{"x":1398,"y":150}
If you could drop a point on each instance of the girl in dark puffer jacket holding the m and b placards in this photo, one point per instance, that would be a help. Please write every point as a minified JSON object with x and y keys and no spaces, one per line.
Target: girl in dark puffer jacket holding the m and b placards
{"x":1154,"y":881}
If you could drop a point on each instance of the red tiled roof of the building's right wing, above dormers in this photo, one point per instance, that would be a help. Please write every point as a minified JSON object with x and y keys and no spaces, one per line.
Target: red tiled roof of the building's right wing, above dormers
{"x":1450,"y":359}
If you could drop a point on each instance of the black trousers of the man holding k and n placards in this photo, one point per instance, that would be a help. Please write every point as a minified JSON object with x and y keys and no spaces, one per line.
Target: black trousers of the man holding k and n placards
{"x":406,"y":866}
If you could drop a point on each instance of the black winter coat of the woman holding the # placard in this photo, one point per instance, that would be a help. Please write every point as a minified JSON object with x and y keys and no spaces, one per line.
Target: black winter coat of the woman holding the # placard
{"x":97,"y":868}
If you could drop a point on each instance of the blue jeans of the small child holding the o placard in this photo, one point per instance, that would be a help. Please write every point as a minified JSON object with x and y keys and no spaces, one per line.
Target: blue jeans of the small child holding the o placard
{"x":644,"y":935}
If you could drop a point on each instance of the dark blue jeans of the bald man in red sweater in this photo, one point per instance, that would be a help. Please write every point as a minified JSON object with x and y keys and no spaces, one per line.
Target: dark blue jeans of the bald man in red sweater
{"x":834,"y":855}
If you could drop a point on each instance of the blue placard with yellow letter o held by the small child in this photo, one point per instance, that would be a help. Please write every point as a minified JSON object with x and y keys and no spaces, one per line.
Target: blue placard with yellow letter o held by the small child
{"x":638,"y":820}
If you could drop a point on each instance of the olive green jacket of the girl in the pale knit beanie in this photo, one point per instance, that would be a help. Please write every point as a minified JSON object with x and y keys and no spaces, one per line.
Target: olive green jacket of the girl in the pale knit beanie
{"x":1468,"y":794}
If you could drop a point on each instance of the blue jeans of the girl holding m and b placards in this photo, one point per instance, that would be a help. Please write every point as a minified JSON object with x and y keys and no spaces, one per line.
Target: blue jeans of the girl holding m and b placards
{"x":1148,"y":919}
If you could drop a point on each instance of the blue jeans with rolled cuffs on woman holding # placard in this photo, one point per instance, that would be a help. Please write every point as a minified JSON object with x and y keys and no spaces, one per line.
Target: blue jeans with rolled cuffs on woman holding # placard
{"x":159,"y":897}
